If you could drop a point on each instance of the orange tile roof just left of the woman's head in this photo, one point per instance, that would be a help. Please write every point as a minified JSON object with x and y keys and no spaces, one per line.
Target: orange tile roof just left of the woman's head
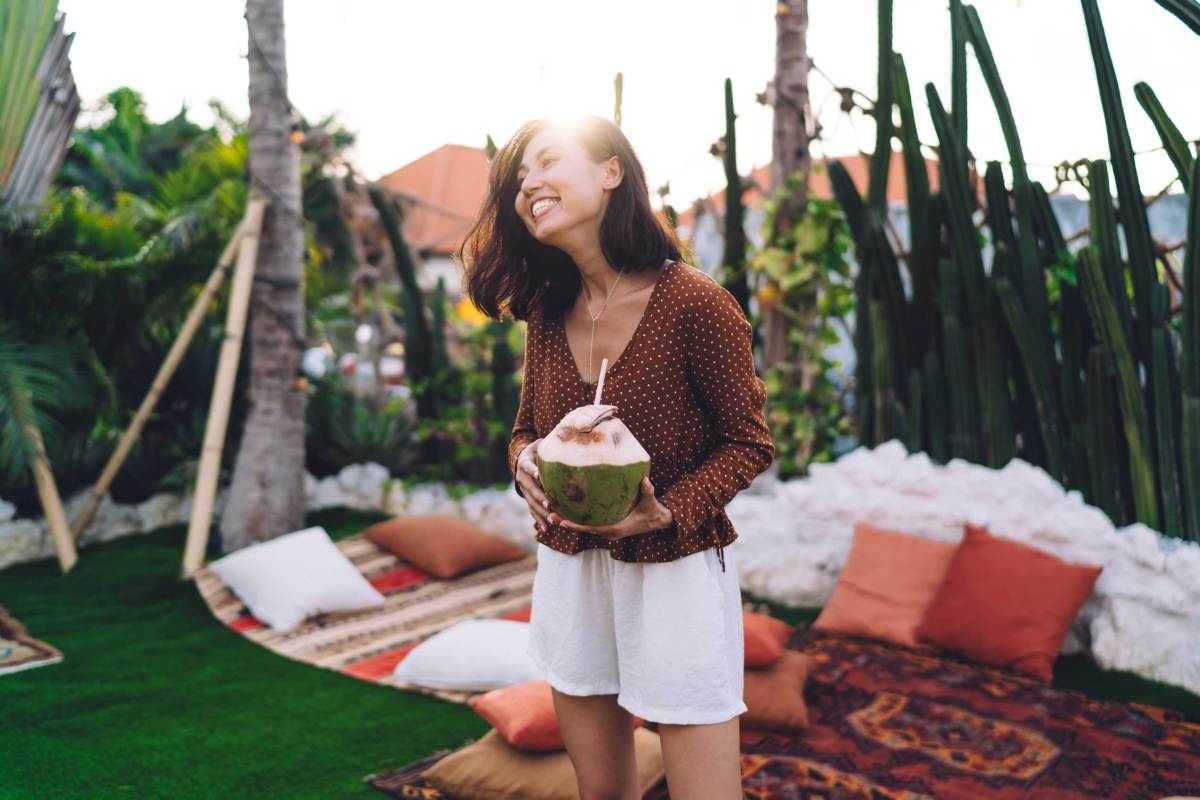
{"x":451,"y":185}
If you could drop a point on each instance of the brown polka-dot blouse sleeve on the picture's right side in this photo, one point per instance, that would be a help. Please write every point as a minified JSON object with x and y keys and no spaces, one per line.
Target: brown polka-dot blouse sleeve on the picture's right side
{"x":719,"y":359}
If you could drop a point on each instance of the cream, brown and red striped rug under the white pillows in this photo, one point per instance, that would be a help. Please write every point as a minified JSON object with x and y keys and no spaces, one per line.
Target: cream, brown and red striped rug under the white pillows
{"x":368,"y":645}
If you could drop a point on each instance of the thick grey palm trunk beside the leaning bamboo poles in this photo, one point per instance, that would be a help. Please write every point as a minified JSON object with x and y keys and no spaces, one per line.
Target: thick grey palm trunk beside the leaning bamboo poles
{"x":267,"y":495}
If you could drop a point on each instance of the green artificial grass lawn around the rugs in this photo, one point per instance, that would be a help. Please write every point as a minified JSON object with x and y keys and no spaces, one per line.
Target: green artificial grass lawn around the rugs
{"x":158,"y":700}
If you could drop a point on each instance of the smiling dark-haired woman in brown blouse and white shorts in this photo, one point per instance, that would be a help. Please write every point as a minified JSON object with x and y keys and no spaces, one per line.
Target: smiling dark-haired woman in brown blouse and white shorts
{"x":641,"y":618}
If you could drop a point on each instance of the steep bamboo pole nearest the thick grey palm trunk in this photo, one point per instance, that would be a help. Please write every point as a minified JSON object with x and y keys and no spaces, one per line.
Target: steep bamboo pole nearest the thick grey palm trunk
{"x":223,"y":389}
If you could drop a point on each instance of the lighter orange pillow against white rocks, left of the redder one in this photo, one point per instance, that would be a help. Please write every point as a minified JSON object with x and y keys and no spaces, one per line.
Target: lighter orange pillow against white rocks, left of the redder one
{"x":889,"y":582}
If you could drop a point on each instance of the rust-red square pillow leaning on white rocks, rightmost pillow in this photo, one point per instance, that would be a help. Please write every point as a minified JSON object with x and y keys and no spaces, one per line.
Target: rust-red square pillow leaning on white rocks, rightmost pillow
{"x":1007,"y":605}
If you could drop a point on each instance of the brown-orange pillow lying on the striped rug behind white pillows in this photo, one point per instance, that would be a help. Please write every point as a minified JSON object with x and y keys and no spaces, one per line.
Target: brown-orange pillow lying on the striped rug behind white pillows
{"x":443,"y":546}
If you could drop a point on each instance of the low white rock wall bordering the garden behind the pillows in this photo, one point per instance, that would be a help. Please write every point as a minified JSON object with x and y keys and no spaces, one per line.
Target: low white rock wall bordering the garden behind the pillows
{"x":1143,"y":617}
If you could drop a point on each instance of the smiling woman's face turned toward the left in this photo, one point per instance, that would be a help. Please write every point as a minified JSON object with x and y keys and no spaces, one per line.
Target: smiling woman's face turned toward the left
{"x":562,"y":193}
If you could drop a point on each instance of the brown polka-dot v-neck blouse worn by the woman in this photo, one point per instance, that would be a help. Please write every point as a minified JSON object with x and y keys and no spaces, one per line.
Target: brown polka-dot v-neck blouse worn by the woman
{"x":686,"y":387}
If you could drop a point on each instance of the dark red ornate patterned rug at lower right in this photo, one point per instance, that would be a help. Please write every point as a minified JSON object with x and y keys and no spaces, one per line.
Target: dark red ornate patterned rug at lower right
{"x":893,"y":724}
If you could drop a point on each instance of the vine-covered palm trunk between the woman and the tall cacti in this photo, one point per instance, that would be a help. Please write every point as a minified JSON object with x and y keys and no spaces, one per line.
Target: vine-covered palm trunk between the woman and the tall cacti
{"x":790,"y":142}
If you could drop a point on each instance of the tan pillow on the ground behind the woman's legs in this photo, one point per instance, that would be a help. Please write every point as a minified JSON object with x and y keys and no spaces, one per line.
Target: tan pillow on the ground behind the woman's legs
{"x":490,"y":769}
